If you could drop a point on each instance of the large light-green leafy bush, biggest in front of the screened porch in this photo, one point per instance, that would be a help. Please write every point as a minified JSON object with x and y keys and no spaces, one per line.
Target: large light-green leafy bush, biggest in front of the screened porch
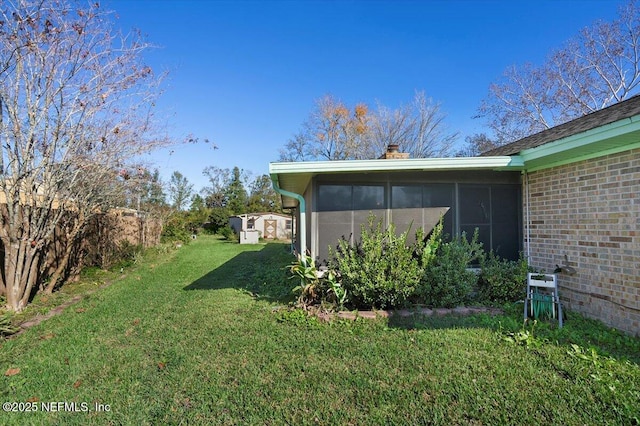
{"x":382,"y":270}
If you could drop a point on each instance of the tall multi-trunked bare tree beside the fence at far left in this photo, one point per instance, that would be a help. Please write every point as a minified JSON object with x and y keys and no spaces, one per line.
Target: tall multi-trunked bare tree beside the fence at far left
{"x":75,"y":104}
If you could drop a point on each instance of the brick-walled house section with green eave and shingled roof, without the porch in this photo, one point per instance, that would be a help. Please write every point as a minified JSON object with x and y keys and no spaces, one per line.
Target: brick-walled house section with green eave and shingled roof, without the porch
{"x":581,"y":185}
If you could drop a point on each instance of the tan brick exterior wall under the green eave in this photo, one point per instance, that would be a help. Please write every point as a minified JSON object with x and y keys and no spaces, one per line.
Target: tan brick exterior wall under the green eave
{"x":590,"y":212}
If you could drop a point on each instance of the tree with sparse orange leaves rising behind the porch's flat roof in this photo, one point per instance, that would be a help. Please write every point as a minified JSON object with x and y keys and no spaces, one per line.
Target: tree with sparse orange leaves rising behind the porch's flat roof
{"x":336,"y":132}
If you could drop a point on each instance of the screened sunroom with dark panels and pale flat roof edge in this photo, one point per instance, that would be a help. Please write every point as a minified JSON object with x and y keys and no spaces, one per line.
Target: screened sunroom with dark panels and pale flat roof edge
{"x":333,"y":199}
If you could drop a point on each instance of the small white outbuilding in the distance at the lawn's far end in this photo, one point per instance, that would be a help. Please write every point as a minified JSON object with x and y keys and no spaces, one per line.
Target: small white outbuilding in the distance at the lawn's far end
{"x":253,"y":226}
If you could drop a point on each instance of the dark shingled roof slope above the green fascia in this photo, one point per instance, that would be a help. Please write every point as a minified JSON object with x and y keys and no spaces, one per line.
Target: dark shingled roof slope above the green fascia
{"x":610,"y":114}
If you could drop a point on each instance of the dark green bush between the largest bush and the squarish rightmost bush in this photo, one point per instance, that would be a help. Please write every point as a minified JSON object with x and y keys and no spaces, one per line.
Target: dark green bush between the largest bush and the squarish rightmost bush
{"x":448,"y":281}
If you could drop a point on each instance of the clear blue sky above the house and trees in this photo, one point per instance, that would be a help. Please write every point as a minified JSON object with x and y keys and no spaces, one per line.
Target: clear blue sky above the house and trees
{"x":245,"y":74}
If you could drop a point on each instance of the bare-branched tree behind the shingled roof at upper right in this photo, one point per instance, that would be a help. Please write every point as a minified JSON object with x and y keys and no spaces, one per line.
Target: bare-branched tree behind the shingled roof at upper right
{"x":598,"y":67}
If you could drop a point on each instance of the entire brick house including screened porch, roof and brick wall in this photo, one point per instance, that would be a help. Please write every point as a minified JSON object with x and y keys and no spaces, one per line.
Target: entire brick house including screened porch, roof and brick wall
{"x":567,"y":196}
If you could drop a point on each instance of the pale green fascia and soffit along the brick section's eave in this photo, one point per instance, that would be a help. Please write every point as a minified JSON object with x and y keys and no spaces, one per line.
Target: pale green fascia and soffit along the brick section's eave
{"x":623,"y":135}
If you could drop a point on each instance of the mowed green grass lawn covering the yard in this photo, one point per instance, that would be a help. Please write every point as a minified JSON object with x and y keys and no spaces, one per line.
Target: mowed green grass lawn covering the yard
{"x":196,"y":338}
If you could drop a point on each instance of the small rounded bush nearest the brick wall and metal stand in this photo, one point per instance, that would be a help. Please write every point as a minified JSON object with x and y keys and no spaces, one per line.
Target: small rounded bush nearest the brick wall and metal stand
{"x":502,"y":280}
